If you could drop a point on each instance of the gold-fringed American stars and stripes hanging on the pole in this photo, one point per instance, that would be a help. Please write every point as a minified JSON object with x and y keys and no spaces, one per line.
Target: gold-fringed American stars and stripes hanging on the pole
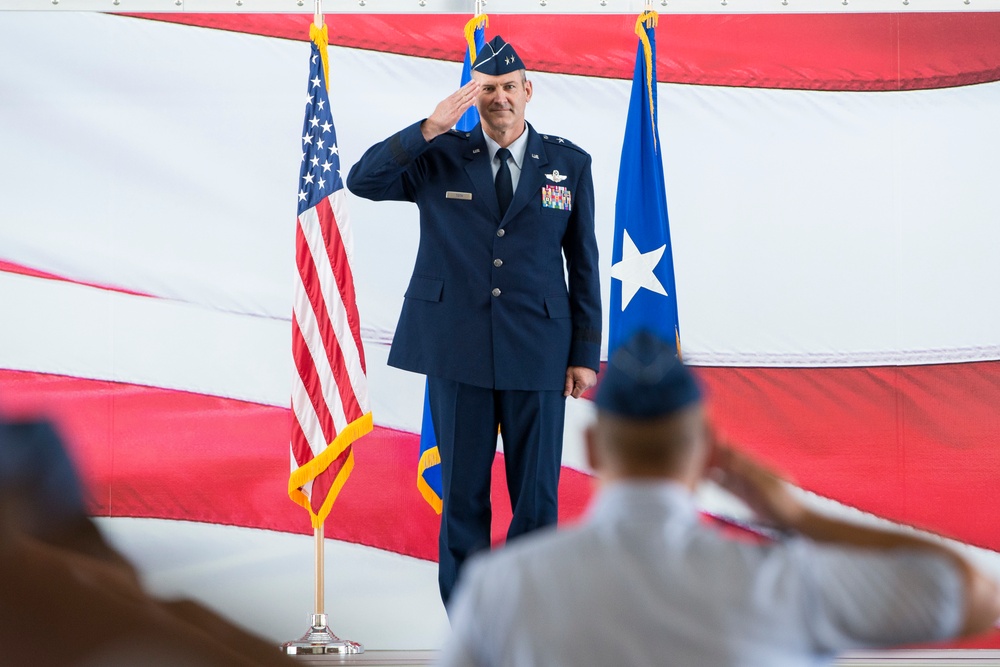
{"x":330,"y":408}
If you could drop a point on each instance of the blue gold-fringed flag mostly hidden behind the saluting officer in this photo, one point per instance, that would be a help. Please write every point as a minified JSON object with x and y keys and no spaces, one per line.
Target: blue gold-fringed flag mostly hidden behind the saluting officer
{"x":429,"y":463}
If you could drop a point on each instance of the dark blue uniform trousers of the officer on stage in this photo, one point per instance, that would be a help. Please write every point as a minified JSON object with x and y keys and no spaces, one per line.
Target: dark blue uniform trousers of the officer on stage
{"x":466,"y":419}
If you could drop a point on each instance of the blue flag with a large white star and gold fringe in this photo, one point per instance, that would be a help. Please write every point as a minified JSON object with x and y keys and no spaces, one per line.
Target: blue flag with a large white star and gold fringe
{"x":642,"y":266}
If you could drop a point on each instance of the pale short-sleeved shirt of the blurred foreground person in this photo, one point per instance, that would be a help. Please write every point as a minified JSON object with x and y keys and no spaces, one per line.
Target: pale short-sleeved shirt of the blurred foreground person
{"x":644,"y":581}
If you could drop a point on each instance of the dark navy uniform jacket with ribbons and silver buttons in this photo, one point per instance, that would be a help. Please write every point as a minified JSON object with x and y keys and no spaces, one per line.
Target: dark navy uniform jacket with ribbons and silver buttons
{"x":489,"y":303}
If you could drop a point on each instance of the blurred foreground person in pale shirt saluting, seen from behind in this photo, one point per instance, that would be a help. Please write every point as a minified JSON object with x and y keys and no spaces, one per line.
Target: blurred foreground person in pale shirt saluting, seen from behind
{"x":643,"y":581}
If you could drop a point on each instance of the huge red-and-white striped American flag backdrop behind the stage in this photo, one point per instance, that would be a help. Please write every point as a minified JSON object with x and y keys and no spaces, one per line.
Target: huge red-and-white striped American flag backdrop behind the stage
{"x":833,"y":210}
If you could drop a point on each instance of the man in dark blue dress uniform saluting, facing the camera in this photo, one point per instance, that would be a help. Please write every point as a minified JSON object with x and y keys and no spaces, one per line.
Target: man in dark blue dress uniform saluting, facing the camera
{"x":503,"y":310}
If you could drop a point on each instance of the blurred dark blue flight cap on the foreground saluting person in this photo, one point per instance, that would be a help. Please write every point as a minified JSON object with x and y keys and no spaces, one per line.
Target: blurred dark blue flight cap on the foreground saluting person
{"x":644,"y":379}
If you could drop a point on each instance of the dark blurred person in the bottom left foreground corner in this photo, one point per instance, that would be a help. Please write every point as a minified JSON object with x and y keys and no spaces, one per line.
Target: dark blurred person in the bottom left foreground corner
{"x":68,"y":599}
